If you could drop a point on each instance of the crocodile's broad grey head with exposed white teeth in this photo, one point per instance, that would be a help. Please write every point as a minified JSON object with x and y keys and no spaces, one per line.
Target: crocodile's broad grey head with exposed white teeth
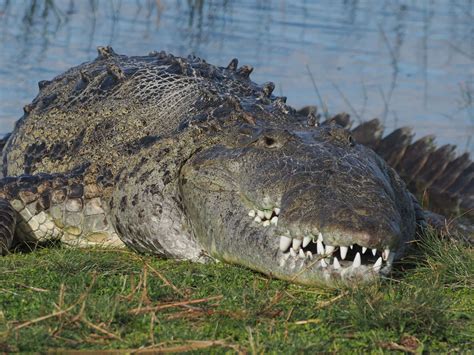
{"x":305,"y":205}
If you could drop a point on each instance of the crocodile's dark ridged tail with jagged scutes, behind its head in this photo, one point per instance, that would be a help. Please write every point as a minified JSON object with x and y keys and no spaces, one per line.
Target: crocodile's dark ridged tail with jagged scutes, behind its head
{"x":442,"y":180}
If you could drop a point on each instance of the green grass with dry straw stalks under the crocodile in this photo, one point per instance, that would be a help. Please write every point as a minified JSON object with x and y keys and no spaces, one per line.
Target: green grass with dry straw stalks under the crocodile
{"x":97,"y":299}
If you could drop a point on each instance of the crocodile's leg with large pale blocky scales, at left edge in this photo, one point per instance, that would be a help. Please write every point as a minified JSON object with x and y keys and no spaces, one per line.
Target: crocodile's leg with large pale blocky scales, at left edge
{"x":65,"y":207}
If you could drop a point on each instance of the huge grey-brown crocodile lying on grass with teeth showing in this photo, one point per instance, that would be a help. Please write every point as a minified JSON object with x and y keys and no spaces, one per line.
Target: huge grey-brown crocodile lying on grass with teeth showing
{"x":183,"y":159}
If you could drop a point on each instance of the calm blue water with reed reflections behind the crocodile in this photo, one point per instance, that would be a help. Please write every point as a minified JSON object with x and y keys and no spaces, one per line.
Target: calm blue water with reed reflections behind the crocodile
{"x":406,"y":62}
